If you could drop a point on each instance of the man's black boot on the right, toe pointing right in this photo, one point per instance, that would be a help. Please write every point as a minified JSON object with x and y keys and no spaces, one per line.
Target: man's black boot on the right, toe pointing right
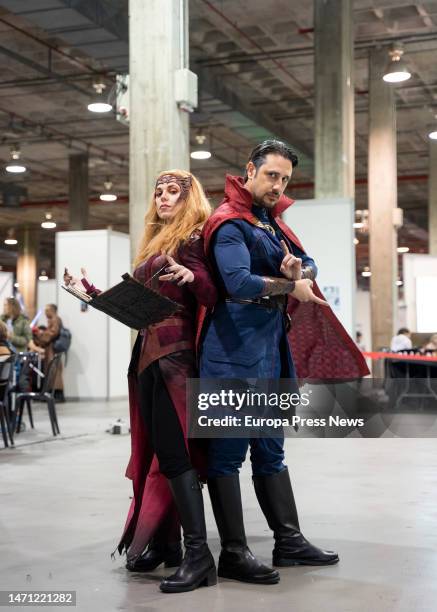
{"x":275,"y":496}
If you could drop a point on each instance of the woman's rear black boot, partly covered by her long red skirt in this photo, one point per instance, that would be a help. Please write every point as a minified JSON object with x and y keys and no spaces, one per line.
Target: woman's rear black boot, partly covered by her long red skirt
{"x":164,"y":547}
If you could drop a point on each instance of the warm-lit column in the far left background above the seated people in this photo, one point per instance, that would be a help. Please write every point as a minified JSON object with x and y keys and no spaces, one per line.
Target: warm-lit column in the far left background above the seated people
{"x":27,"y":268}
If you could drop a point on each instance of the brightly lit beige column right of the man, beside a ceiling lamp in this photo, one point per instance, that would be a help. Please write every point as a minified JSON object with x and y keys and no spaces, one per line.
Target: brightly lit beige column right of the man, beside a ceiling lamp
{"x":382,"y":189}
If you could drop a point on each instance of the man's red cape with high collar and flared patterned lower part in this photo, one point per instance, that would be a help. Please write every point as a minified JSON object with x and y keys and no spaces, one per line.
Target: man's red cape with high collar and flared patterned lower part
{"x":321,"y":347}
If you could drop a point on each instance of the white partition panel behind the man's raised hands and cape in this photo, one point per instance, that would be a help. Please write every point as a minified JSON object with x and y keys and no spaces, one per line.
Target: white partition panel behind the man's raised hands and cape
{"x":326,"y":232}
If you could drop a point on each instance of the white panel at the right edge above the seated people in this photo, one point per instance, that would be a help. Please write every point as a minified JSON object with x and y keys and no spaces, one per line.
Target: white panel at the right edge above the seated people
{"x":414,"y":266}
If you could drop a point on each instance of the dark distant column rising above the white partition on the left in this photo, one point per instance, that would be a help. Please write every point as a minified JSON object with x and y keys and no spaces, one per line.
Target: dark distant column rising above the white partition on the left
{"x":78,"y":191}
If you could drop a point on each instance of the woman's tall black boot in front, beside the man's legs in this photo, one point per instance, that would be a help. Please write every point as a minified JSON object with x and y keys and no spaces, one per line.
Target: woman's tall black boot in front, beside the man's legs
{"x":197,"y":567}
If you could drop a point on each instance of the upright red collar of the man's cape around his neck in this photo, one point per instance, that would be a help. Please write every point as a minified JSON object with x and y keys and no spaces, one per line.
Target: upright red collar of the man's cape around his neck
{"x":237,"y":204}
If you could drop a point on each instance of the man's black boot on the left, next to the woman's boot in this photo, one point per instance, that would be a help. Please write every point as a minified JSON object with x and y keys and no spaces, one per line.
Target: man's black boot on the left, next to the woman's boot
{"x":236,"y":560}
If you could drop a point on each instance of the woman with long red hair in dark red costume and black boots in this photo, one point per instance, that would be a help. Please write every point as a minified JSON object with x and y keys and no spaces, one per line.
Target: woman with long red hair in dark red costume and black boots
{"x":164,"y":465}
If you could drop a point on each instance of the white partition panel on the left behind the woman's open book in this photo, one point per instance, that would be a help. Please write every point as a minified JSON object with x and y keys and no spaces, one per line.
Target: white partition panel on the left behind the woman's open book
{"x":99,"y":353}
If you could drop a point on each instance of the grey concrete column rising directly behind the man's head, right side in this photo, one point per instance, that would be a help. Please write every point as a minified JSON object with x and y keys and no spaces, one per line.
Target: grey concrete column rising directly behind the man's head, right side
{"x":334,"y":99}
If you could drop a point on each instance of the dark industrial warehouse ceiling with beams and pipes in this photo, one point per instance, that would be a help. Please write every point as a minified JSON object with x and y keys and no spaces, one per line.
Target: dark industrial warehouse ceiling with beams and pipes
{"x":255,"y":65}
